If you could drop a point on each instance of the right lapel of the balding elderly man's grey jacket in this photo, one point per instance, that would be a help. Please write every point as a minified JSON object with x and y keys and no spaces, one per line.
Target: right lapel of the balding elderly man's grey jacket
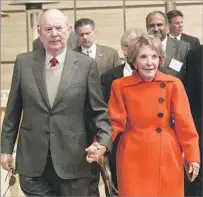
{"x":69,"y":70}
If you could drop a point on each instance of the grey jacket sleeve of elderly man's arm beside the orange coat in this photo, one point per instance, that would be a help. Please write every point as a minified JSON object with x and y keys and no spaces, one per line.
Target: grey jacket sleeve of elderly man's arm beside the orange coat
{"x":99,"y":108}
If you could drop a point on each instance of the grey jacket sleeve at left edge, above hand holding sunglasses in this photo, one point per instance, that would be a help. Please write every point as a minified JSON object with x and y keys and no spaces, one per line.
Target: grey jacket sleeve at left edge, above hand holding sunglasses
{"x":13,"y":113}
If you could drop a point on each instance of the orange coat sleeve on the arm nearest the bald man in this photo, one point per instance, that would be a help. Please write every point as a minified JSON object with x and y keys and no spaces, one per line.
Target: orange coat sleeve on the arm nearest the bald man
{"x":117,"y":111}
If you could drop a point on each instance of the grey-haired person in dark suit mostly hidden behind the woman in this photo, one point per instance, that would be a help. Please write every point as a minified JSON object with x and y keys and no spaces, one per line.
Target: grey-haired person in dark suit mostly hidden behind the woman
{"x":107,"y":79}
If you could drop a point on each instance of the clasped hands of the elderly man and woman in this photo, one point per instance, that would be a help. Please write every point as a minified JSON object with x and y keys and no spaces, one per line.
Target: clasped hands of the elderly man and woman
{"x":95,"y":152}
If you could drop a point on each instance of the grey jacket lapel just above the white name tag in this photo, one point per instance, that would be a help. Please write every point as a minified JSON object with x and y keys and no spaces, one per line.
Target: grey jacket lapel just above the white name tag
{"x":170,"y":50}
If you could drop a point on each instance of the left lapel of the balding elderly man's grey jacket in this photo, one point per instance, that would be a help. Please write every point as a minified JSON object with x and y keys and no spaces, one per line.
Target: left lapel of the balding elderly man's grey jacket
{"x":38,"y":68}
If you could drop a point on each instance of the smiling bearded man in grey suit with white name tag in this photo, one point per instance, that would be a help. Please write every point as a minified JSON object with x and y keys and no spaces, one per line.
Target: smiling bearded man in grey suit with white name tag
{"x":176,"y":51}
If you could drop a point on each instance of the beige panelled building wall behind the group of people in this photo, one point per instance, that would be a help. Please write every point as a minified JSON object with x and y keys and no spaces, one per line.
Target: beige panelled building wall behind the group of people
{"x":111,"y":18}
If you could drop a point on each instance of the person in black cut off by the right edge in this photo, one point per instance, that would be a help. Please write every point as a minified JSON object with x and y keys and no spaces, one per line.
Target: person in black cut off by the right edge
{"x":193,"y":84}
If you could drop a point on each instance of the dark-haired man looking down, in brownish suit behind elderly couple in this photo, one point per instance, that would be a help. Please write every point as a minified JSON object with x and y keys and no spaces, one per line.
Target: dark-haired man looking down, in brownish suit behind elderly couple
{"x":105,"y":58}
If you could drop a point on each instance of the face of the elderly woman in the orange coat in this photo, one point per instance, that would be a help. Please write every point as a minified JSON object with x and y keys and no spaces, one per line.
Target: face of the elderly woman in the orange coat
{"x":147,"y":63}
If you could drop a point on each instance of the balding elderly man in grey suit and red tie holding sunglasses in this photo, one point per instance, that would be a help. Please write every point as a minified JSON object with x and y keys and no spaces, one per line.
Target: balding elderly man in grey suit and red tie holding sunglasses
{"x":54,"y":87}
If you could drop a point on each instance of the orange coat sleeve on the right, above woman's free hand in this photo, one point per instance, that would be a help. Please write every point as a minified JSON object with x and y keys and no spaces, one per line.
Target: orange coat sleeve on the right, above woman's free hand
{"x":184,"y":124}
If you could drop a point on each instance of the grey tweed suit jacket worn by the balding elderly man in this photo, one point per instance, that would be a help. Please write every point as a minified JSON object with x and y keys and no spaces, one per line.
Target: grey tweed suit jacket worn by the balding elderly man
{"x":60,"y":128}
